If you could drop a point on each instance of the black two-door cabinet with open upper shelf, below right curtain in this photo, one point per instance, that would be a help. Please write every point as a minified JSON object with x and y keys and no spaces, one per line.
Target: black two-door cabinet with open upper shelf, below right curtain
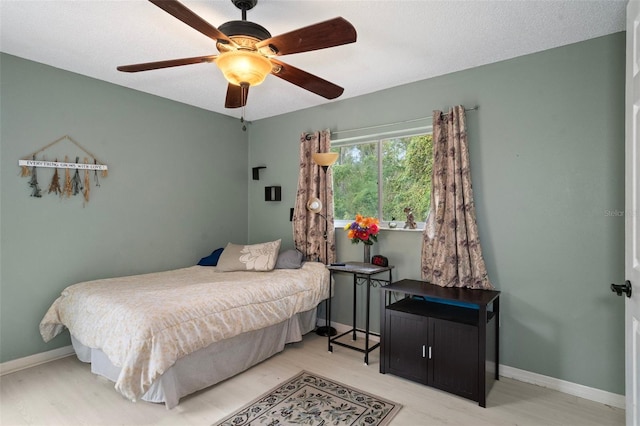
{"x":442,"y":337}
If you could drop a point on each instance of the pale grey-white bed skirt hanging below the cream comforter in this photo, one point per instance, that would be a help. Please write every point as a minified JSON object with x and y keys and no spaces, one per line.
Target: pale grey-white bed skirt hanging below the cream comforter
{"x":209,"y":365}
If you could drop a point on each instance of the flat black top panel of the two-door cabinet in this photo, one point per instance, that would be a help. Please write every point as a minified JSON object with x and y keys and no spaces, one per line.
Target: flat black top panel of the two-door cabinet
{"x":423,"y":288}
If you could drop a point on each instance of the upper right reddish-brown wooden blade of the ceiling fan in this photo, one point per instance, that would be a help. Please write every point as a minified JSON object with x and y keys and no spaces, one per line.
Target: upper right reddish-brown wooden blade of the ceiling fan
{"x":334,"y":32}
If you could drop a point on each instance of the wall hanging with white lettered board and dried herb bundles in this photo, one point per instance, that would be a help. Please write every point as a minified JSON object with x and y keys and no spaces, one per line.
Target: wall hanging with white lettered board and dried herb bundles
{"x":71,"y":185}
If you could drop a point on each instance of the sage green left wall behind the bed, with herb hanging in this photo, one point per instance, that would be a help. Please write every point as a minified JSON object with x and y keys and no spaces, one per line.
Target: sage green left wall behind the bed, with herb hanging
{"x":171,"y":197}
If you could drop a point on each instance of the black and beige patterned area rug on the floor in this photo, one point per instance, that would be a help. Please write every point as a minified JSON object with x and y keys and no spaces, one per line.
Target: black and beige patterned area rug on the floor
{"x":309,"y":399}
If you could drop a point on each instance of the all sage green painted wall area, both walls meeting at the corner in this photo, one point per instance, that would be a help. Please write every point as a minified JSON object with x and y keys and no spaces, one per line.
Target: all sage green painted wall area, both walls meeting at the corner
{"x":547,"y":148}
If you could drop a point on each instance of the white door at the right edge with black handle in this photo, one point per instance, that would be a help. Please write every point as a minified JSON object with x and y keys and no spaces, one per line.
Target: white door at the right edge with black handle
{"x":632,"y":215}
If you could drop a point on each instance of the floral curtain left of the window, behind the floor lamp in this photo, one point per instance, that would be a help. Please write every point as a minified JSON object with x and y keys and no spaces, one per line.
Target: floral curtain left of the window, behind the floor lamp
{"x":308,"y":227}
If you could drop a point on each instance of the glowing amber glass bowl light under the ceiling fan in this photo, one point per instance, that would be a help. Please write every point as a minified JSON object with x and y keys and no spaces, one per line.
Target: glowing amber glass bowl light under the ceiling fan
{"x":244,"y":67}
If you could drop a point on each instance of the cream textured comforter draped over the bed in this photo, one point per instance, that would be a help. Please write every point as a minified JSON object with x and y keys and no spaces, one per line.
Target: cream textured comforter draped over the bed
{"x":145,"y":323}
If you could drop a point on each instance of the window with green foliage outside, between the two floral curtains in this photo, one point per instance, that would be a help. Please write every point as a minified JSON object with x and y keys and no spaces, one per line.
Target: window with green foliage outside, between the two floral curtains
{"x":382,"y":177}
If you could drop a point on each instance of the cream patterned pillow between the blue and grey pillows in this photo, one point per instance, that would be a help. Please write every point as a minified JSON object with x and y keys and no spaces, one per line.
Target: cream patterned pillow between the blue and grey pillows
{"x":256,"y":257}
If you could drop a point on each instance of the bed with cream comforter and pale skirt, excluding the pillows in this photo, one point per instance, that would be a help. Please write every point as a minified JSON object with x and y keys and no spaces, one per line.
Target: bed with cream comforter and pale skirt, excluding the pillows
{"x":162,"y":336}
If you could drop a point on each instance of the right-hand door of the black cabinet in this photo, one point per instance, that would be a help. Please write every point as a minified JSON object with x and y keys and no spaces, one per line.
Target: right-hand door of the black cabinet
{"x":453,"y":366}
